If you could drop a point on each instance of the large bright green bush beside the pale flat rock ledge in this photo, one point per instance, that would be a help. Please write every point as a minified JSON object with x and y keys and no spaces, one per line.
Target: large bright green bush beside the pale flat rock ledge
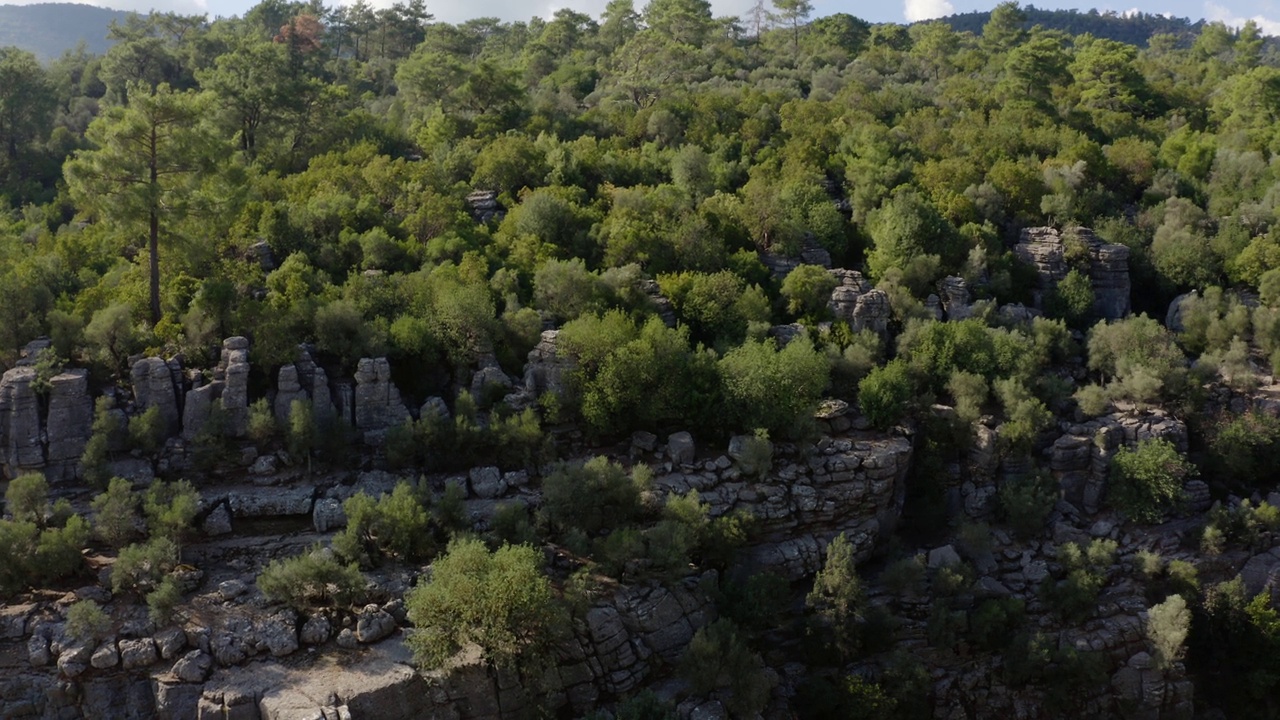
{"x":501,"y":601}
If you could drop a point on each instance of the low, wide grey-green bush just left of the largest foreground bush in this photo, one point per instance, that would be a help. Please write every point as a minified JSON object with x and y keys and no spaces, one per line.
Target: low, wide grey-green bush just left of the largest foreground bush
{"x":313,"y":580}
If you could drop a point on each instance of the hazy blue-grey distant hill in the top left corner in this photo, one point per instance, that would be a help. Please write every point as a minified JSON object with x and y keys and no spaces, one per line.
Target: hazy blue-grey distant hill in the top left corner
{"x":51,"y":29}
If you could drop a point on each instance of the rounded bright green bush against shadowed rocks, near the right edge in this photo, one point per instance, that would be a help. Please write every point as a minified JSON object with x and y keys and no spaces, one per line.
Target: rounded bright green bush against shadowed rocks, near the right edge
{"x":1148,"y":481}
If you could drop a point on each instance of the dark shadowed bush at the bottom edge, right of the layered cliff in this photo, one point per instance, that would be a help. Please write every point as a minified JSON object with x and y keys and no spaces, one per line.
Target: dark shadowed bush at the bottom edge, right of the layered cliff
{"x":719,"y":658}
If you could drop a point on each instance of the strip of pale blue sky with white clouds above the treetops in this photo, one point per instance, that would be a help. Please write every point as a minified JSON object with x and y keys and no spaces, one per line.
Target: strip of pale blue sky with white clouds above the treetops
{"x":1235,"y":13}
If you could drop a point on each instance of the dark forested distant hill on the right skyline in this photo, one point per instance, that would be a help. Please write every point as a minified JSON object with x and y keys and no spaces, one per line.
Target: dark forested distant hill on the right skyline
{"x":1135,"y":30}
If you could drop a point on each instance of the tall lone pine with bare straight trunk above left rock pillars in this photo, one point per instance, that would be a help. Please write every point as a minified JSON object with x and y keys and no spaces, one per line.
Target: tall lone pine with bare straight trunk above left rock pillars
{"x":141,"y":175}
